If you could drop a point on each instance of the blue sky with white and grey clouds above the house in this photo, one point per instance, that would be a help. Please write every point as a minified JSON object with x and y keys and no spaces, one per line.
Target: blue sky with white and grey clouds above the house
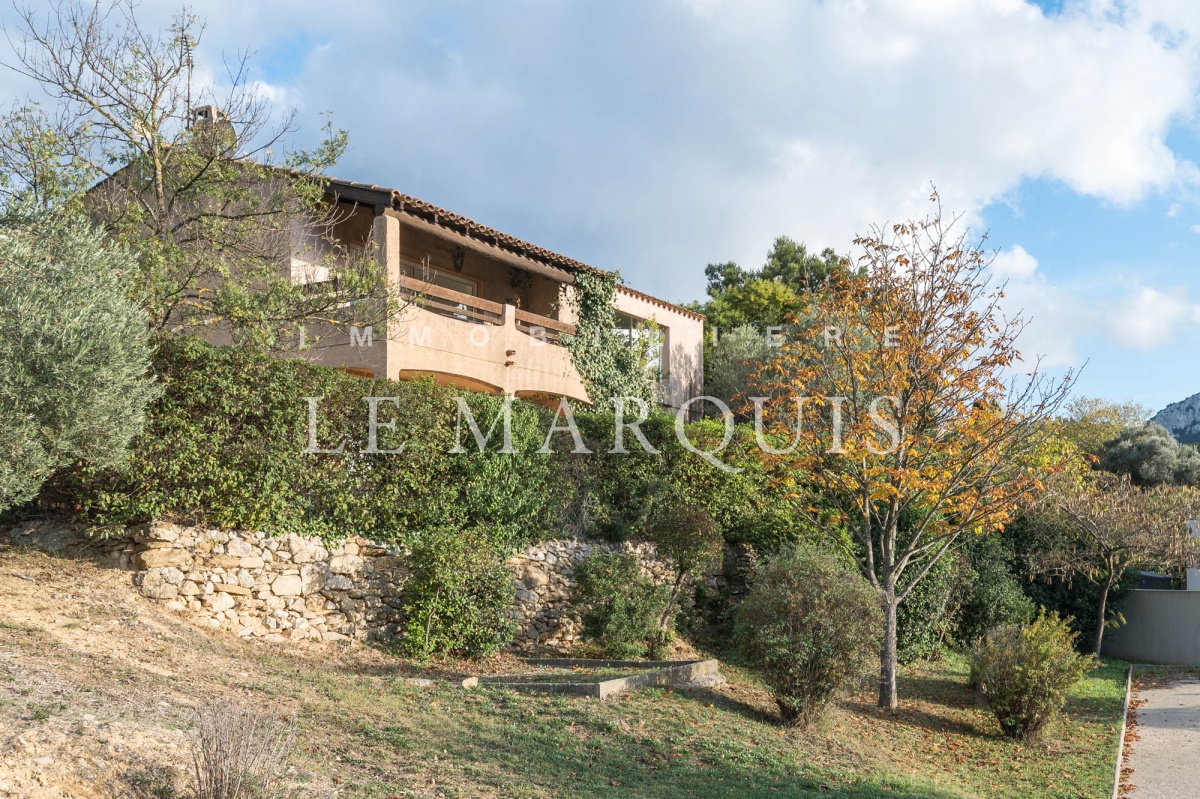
{"x":658,"y":136}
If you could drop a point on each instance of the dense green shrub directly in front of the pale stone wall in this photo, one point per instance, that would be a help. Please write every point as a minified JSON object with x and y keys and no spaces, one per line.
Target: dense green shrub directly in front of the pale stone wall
{"x":459,"y":600}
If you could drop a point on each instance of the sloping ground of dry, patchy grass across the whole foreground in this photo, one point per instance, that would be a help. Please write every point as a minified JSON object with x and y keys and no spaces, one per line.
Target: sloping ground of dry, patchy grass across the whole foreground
{"x":99,"y":690}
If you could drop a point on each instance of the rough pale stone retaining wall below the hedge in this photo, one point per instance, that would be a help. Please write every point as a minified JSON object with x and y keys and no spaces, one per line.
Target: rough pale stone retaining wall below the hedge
{"x":295,"y":588}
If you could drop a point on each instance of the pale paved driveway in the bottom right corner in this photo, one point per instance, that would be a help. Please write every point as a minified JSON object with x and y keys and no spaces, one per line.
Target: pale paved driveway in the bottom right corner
{"x":1167,"y":758}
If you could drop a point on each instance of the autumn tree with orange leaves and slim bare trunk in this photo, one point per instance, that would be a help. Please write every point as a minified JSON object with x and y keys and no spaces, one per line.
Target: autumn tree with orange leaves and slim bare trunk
{"x":902,"y":402}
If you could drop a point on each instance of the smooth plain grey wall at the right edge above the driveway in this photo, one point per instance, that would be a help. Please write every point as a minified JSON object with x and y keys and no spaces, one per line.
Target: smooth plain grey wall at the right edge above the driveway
{"x":1162,"y":627}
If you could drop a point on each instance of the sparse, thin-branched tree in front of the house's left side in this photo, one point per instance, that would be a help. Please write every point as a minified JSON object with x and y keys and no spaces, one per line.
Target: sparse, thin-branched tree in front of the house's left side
{"x":199,"y":181}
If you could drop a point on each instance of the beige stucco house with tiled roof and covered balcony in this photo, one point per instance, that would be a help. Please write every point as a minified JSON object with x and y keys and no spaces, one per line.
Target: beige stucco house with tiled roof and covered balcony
{"x":485,"y":311}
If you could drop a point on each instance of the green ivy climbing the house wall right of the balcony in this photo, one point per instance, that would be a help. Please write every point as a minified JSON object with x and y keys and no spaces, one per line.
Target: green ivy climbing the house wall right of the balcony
{"x":611,"y":367}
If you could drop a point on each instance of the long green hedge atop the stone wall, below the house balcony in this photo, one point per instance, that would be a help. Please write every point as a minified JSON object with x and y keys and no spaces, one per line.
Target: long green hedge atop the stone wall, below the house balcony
{"x":226,"y":446}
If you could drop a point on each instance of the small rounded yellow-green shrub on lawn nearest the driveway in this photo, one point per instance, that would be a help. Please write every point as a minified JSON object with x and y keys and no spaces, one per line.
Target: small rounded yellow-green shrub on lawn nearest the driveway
{"x":1024,"y":672}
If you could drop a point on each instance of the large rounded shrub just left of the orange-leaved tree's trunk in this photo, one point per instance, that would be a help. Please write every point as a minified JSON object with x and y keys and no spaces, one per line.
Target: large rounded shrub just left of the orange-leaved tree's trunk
{"x":809,"y":626}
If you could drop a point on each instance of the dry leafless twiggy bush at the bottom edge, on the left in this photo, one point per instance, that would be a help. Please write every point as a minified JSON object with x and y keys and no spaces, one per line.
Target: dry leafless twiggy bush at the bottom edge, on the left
{"x":239,"y":753}
